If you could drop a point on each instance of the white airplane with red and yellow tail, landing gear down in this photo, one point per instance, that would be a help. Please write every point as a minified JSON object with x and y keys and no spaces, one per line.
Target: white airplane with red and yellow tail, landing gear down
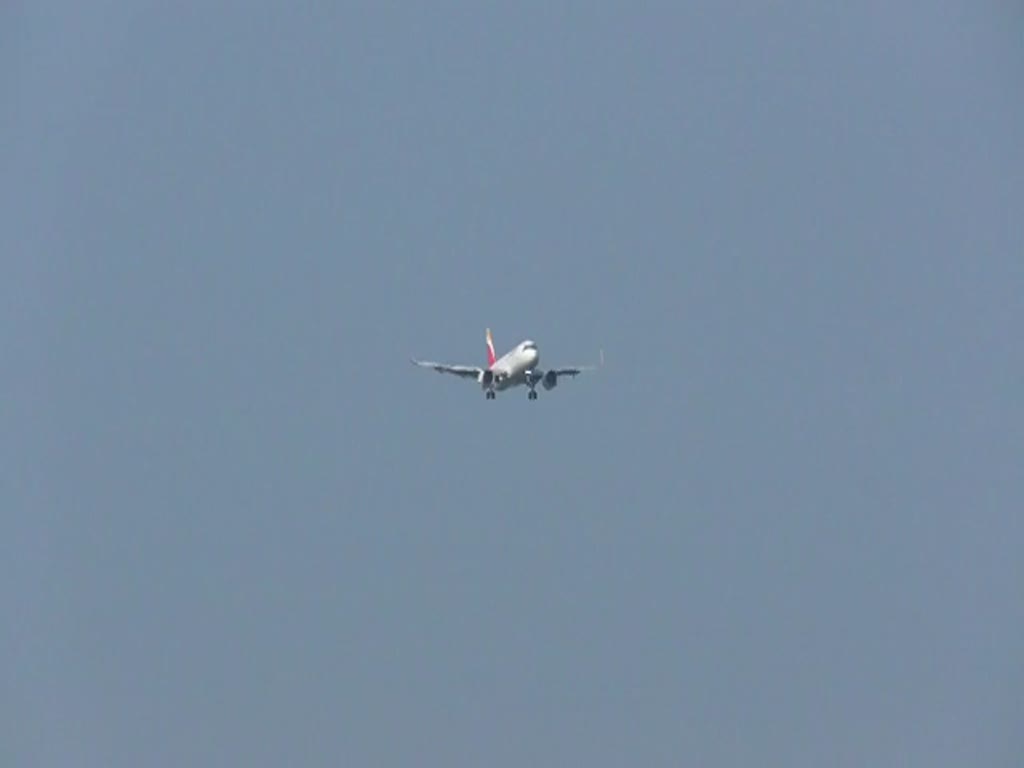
{"x":519,"y":367}
